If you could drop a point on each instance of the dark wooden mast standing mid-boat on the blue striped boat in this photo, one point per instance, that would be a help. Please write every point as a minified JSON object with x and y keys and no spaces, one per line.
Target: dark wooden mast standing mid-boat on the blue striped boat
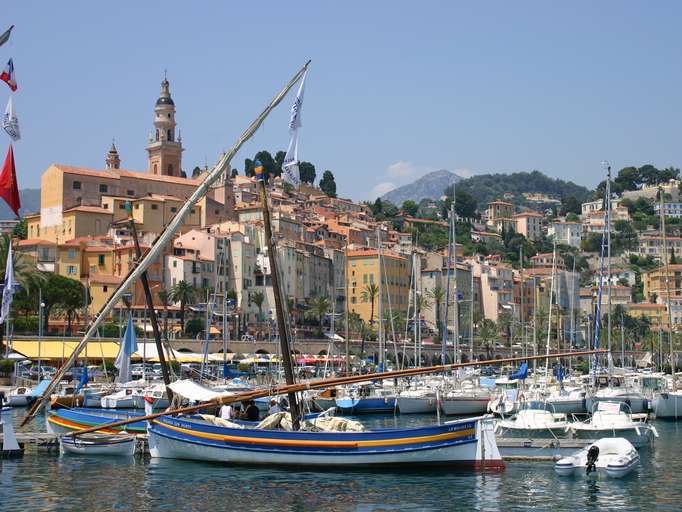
{"x":282,"y":326}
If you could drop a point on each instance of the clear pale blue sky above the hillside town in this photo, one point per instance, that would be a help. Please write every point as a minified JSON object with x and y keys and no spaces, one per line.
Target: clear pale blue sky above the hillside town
{"x":395,"y":88}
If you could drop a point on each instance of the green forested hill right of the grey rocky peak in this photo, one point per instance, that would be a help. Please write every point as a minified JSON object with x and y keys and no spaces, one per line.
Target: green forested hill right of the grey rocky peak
{"x":489,"y":187}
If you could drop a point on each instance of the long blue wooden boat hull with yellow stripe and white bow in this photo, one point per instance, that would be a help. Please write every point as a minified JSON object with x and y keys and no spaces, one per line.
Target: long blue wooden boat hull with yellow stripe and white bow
{"x":463,"y":442}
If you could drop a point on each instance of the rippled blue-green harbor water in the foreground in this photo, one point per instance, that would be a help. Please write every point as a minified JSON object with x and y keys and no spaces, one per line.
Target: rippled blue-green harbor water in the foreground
{"x":41,"y":481}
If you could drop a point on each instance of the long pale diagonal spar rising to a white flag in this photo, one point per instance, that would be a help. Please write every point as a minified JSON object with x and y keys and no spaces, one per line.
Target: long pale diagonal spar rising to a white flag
{"x":163,"y":239}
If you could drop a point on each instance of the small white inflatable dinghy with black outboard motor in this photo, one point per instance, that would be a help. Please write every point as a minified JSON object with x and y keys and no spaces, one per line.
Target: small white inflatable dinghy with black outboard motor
{"x":615,"y":456}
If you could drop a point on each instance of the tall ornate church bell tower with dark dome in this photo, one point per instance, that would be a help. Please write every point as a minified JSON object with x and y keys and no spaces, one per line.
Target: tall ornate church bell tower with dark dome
{"x":165,"y":151}
